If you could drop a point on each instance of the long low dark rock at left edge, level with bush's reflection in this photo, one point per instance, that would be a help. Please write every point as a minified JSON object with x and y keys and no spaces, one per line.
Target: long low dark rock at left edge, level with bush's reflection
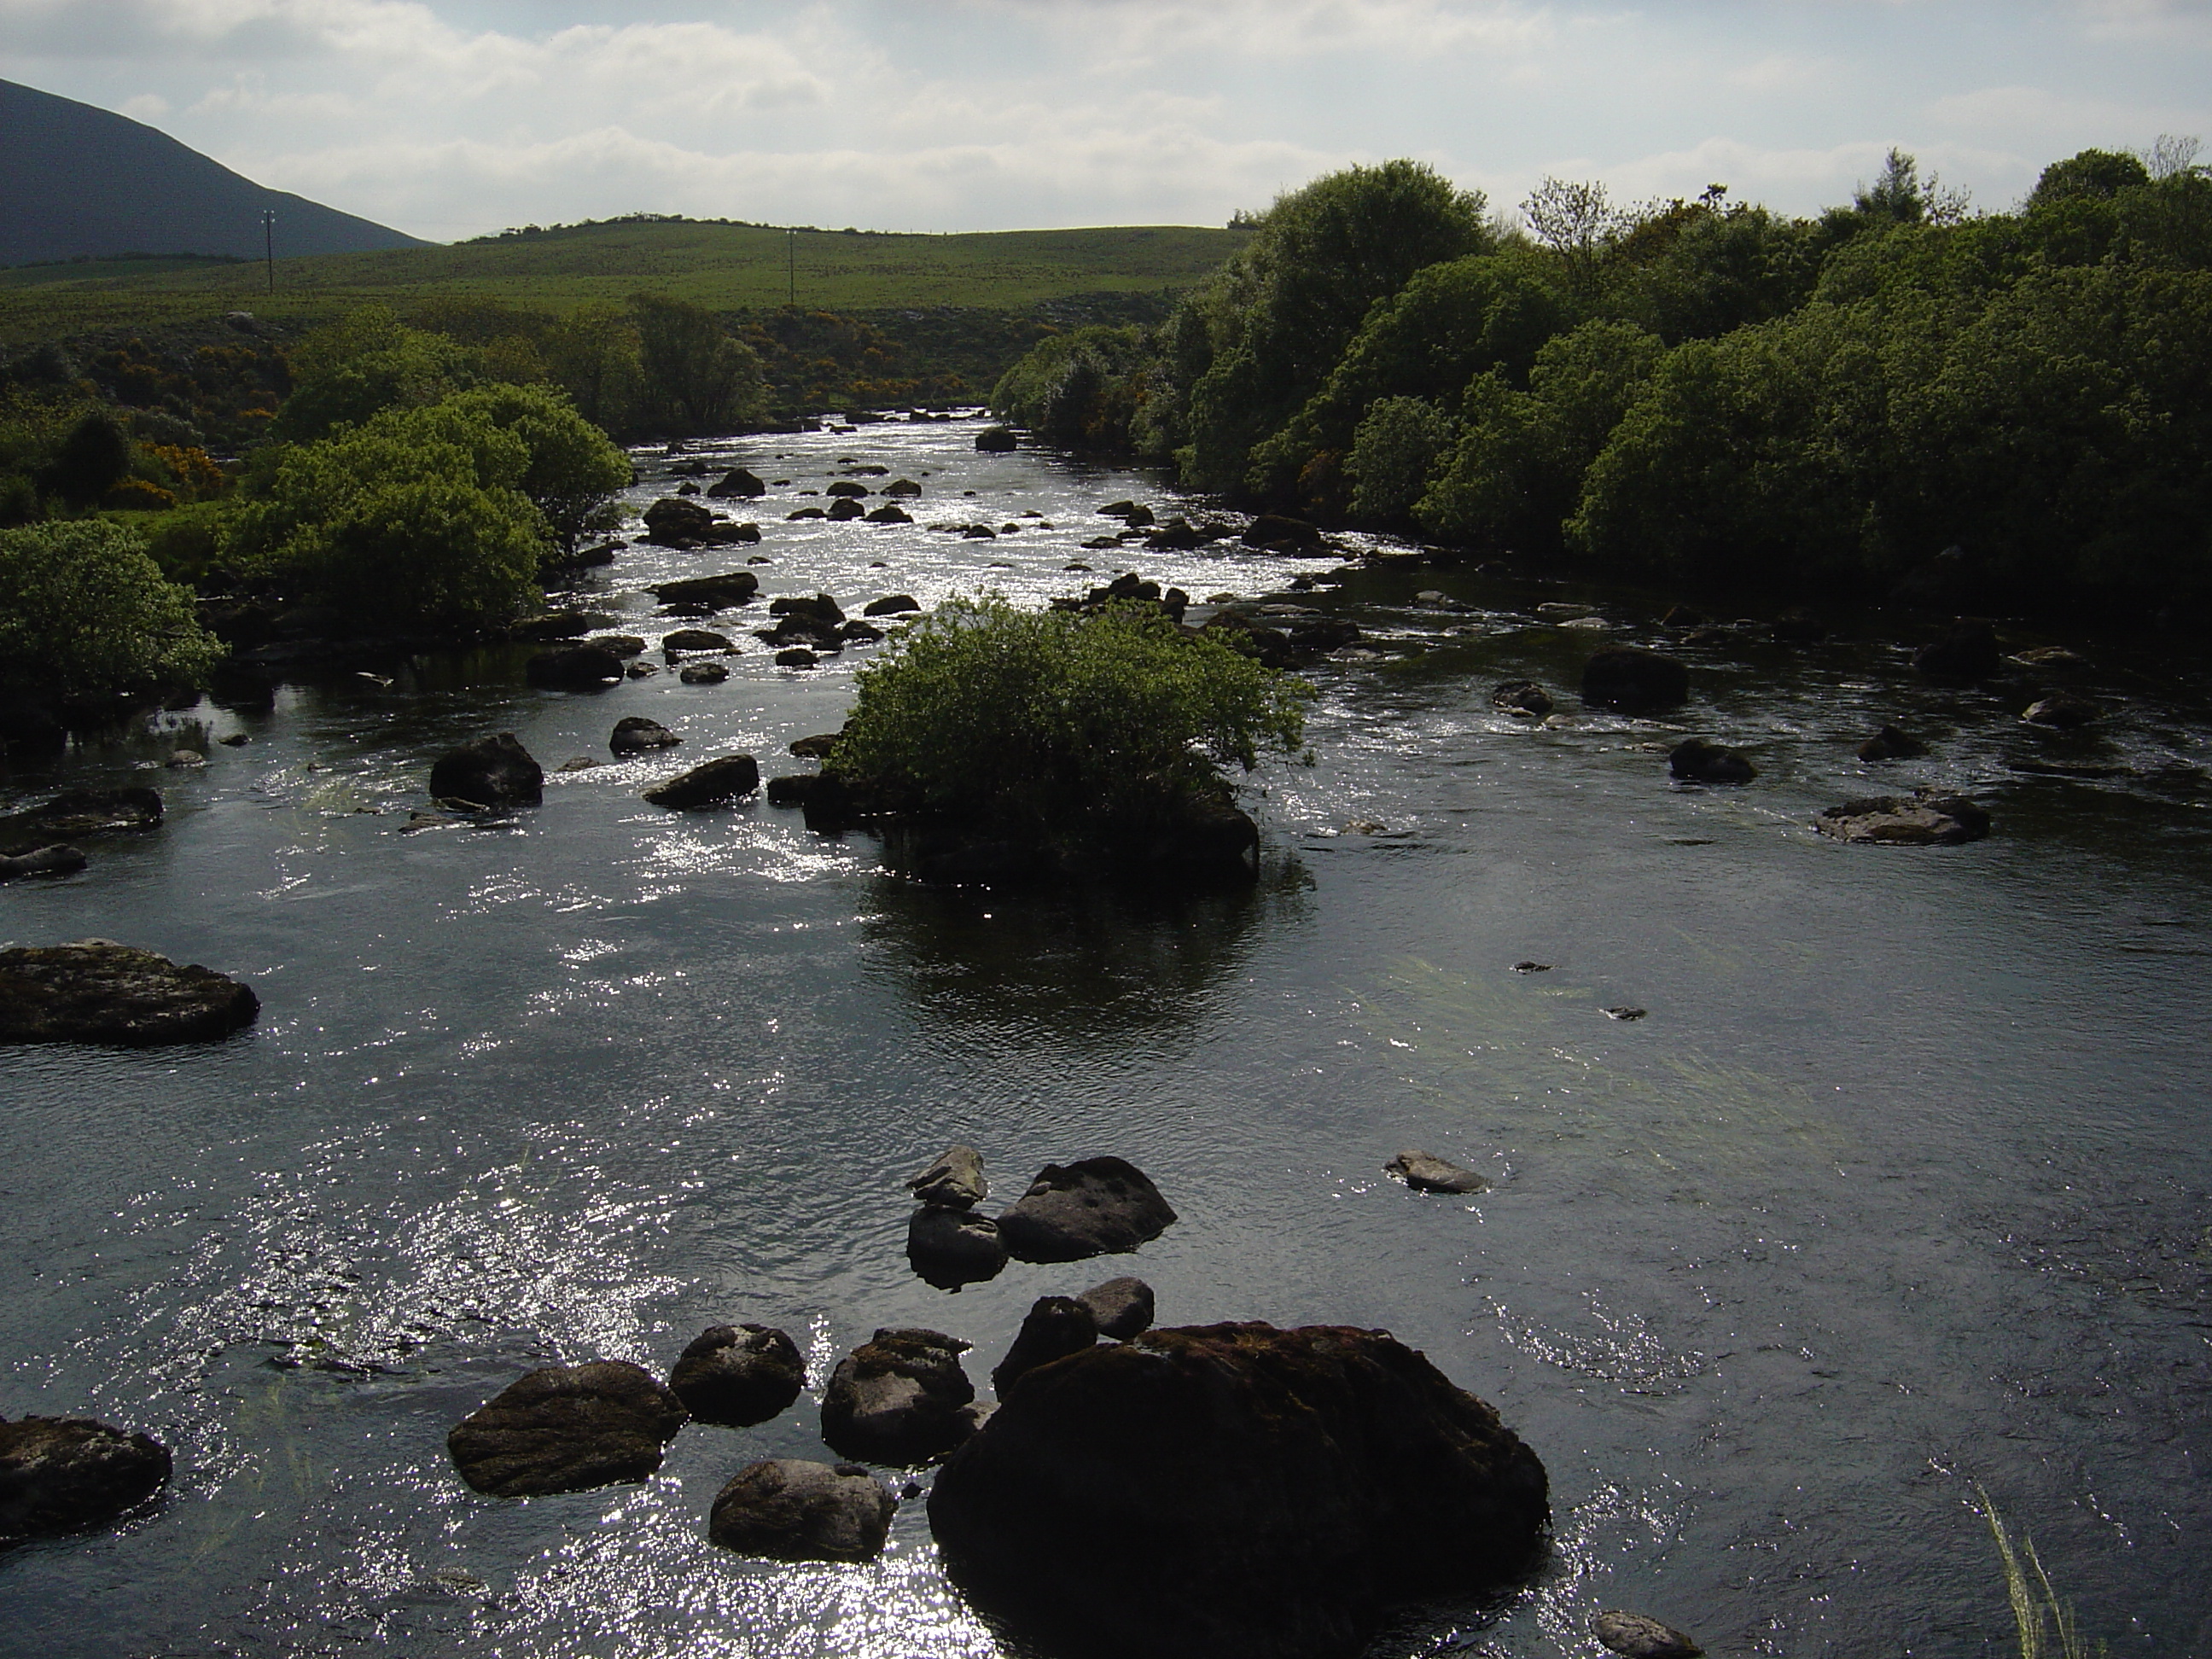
{"x":112,"y":994}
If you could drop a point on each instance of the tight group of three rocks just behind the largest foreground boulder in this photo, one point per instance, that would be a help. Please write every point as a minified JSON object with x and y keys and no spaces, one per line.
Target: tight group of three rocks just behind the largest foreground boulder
{"x":1094,"y":1207}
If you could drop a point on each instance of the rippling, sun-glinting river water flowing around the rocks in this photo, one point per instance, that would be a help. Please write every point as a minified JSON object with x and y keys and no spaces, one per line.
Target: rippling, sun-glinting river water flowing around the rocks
{"x":1899,"y":1189}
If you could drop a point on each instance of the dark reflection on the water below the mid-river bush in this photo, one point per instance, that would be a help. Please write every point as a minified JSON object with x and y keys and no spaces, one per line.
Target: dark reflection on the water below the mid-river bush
{"x":1078,"y":966}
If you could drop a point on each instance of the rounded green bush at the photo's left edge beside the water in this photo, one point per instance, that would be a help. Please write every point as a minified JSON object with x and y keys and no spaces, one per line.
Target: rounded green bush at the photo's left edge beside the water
{"x":85,"y":614}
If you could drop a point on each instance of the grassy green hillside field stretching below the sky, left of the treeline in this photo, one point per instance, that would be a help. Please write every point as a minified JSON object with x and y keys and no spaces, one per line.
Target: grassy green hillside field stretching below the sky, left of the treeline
{"x":722,"y":267}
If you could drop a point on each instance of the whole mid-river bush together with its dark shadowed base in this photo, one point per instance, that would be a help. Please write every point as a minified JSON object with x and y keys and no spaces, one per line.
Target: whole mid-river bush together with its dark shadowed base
{"x":1001,"y":744}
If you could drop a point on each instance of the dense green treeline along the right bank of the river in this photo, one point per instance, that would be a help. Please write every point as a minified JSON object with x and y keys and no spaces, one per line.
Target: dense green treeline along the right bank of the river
{"x":1702,"y":390}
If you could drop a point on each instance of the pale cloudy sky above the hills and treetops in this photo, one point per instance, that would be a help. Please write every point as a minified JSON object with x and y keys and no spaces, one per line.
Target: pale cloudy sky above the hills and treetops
{"x":457,"y":118}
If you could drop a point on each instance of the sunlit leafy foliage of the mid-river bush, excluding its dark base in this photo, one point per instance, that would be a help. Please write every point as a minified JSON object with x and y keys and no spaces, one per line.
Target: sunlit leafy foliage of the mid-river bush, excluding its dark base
{"x":1061,"y":722}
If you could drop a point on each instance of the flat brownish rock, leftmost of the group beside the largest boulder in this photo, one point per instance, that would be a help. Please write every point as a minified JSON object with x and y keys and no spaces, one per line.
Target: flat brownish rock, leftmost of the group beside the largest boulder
{"x":567,"y":1428}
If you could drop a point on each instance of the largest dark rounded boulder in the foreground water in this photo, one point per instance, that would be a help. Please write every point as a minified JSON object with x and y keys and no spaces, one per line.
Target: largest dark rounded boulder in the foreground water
{"x":1235,"y":1492}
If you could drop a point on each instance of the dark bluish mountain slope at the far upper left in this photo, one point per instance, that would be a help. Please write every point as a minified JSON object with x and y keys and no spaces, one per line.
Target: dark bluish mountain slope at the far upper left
{"x":81,"y":180}
